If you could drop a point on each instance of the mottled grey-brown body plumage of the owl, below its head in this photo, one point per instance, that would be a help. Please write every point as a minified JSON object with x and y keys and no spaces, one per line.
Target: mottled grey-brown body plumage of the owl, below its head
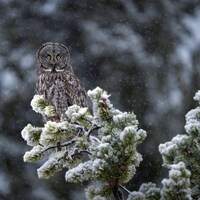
{"x":61,"y":90}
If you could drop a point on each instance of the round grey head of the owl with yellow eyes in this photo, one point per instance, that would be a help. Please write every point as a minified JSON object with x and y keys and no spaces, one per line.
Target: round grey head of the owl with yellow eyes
{"x":53,"y":57}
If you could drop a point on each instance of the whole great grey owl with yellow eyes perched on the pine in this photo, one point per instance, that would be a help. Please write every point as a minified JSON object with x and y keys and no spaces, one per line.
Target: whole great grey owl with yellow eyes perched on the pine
{"x":56,"y":79}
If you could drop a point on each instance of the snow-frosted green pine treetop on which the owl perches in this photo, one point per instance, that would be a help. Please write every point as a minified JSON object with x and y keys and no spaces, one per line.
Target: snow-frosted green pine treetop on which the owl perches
{"x":108,"y":137}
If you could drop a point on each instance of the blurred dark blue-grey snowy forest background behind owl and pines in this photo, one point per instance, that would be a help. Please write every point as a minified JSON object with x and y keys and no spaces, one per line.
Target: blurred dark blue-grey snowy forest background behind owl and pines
{"x":145,"y":53}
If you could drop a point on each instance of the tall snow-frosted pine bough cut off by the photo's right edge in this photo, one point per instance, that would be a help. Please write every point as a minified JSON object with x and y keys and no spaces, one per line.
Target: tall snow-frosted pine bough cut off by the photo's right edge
{"x":182,"y":156}
